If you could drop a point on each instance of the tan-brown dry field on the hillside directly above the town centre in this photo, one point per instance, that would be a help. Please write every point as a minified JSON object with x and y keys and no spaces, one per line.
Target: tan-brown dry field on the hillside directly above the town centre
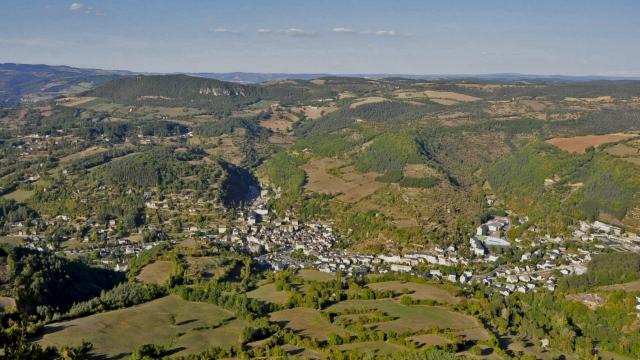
{"x":350,"y":186}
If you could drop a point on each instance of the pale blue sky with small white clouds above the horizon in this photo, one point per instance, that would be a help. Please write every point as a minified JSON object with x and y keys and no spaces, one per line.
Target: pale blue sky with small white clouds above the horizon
{"x":568,"y":37}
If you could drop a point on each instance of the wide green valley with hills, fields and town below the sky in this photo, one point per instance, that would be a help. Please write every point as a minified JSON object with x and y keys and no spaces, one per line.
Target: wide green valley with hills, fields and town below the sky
{"x":328,"y":218}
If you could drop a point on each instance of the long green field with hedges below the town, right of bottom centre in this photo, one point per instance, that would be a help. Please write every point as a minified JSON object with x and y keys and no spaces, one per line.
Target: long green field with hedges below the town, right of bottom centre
{"x":411,"y":317}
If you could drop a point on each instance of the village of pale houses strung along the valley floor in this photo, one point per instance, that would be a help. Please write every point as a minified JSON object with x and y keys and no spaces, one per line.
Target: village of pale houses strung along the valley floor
{"x":285,"y":242}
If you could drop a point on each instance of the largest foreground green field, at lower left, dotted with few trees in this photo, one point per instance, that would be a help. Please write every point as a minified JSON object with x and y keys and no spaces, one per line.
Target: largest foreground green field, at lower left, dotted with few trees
{"x":116,"y":333}
